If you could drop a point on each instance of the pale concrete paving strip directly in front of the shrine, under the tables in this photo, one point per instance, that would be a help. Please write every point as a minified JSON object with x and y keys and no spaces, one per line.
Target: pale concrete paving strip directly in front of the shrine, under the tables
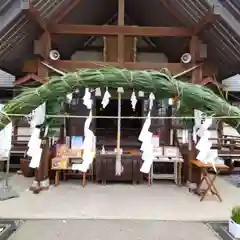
{"x":161,"y":201}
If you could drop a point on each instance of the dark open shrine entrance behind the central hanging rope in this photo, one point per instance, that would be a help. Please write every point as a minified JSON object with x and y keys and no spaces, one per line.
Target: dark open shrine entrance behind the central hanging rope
{"x":106,"y":123}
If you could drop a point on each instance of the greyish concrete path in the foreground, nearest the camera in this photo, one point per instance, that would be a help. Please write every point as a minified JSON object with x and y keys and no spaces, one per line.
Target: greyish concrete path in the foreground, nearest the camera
{"x":112,"y":230}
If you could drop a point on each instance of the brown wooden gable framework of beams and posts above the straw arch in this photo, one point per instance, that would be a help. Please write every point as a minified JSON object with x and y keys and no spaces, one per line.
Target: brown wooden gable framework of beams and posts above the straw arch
{"x":120,"y":47}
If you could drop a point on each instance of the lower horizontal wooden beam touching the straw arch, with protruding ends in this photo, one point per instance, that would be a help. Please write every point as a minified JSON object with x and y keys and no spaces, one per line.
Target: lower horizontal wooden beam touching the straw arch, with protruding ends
{"x":30,"y":66}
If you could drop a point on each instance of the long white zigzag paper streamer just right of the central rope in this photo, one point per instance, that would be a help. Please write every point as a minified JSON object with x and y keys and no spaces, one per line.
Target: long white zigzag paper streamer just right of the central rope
{"x":146,"y":138}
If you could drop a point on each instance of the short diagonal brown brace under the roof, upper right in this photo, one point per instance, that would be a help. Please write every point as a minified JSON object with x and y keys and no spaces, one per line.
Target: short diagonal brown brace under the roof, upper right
{"x":207,"y":21}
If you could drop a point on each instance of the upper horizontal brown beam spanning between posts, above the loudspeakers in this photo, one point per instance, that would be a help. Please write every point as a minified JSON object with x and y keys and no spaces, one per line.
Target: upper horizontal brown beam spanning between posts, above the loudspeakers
{"x":110,"y":30}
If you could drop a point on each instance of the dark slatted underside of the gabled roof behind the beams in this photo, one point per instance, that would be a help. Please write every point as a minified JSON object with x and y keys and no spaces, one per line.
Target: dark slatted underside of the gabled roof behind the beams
{"x":17,"y":32}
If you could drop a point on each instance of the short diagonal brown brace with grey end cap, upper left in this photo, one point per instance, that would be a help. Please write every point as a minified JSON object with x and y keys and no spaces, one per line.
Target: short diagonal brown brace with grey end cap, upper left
{"x":35,"y":15}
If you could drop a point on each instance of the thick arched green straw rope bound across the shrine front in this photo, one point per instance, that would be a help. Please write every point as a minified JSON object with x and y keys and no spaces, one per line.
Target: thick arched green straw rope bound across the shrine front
{"x":162,"y":84}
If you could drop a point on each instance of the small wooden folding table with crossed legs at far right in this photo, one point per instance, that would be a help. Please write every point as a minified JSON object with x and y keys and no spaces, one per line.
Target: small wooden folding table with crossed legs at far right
{"x":207,"y":178}
